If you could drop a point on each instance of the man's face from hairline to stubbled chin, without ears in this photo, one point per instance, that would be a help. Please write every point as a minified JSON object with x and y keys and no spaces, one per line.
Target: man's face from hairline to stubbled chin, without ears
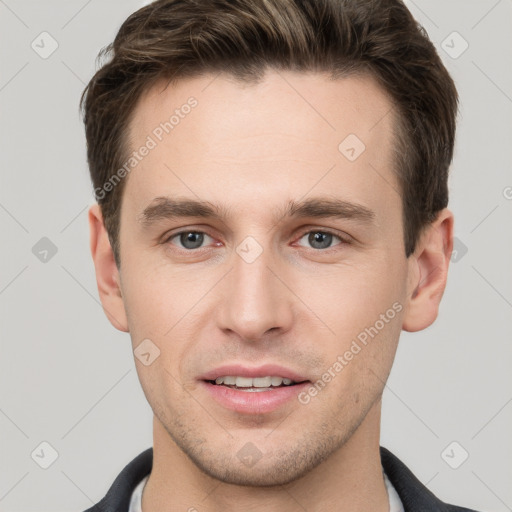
{"x":259,"y":286}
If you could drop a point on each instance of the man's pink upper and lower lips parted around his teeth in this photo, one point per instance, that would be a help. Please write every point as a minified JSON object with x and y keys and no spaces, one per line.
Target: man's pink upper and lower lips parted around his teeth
{"x":253,"y":402}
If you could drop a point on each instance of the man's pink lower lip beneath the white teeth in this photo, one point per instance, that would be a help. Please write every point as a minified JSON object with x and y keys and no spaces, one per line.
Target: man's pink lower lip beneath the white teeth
{"x":253,"y":402}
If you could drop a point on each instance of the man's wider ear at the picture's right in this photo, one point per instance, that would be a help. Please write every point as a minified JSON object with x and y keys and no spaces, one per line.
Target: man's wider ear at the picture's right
{"x":428,"y":272}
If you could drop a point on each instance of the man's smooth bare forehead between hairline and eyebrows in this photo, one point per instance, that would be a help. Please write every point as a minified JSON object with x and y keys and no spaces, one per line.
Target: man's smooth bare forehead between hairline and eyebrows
{"x":286,"y":134}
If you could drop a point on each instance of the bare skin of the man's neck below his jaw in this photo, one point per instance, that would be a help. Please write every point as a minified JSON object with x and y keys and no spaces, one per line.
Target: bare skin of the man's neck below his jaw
{"x":351,"y":480}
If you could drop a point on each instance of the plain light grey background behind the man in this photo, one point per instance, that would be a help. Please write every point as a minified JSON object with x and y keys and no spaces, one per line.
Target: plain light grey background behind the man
{"x":68,"y":378}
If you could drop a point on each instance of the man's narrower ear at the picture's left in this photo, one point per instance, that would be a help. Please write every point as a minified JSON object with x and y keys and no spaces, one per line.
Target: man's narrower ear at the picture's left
{"x":107,"y":274}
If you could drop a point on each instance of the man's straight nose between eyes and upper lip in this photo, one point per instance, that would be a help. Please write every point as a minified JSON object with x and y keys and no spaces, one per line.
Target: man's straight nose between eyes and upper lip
{"x":256,"y":301}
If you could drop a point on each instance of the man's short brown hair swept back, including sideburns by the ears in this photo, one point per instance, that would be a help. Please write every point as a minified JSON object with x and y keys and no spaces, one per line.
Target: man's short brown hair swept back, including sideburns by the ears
{"x":173,"y":39}
